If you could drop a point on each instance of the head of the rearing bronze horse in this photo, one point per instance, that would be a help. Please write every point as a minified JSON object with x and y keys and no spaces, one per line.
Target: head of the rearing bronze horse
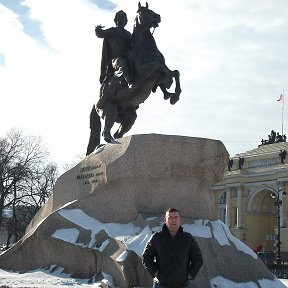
{"x":146,"y":18}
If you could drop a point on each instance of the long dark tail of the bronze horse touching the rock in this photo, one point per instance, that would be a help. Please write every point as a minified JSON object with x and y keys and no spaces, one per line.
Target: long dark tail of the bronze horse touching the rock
{"x":95,"y":131}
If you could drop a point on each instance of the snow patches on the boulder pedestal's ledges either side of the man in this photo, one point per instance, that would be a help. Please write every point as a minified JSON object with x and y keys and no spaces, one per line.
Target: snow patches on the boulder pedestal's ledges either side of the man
{"x":135,"y":239}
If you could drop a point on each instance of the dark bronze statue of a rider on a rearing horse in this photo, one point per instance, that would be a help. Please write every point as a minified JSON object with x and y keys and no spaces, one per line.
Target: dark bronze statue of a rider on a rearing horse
{"x":132,"y":67}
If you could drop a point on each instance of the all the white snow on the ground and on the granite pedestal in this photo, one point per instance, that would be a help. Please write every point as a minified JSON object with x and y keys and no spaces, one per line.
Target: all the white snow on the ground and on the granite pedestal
{"x":135,"y":239}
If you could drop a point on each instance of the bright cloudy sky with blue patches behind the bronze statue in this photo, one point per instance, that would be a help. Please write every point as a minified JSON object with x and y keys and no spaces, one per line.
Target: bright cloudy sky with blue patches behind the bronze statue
{"x":232,"y":57}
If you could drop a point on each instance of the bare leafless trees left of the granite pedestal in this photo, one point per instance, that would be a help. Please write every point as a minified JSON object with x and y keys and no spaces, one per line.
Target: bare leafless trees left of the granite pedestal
{"x":26,"y":180}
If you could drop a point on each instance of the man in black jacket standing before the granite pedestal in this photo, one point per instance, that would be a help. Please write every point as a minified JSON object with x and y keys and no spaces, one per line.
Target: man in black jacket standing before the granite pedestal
{"x":172,"y":256}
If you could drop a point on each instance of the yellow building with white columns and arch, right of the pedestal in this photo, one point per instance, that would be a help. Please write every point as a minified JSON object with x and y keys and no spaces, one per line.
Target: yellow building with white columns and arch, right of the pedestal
{"x":243,"y":199}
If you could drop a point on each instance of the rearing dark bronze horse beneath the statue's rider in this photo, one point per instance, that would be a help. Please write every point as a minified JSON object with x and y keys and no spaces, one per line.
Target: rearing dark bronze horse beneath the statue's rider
{"x":149,"y":72}
